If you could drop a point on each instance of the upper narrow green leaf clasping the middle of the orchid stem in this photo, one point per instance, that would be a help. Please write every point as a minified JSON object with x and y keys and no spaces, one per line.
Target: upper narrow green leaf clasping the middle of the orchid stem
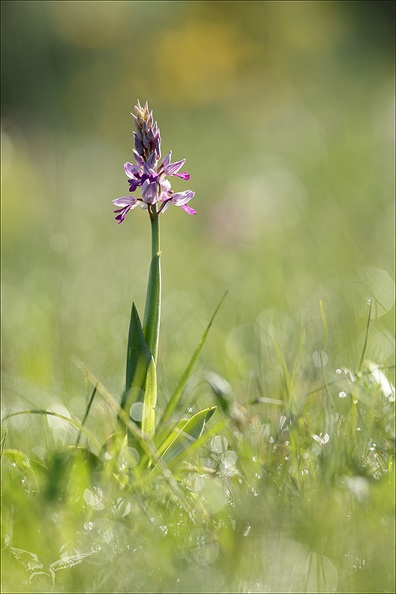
{"x":152,"y":311}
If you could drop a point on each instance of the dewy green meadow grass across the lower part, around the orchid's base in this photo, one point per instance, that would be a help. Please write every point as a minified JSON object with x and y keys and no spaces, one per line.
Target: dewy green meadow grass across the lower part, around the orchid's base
{"x":288,"y":489}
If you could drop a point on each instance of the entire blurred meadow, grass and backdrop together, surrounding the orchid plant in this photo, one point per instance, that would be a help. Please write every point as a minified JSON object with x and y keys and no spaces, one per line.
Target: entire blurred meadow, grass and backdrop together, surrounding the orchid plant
{"x":285,"y":114}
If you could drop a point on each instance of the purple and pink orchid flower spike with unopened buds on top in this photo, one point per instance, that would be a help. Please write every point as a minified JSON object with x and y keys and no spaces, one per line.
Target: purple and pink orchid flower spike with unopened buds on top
{"x":149,"y":173}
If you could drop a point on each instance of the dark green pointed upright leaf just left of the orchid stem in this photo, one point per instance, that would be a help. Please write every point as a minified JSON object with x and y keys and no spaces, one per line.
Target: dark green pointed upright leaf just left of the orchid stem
{"x":138,"y":360}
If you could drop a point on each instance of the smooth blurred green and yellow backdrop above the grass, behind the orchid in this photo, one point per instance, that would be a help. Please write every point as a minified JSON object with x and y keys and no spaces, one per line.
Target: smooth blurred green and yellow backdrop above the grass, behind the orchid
{"x":284,"y":112}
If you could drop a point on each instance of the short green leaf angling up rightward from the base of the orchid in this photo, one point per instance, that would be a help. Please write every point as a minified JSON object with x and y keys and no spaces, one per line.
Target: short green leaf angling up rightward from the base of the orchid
{"x":186,"y":432}
